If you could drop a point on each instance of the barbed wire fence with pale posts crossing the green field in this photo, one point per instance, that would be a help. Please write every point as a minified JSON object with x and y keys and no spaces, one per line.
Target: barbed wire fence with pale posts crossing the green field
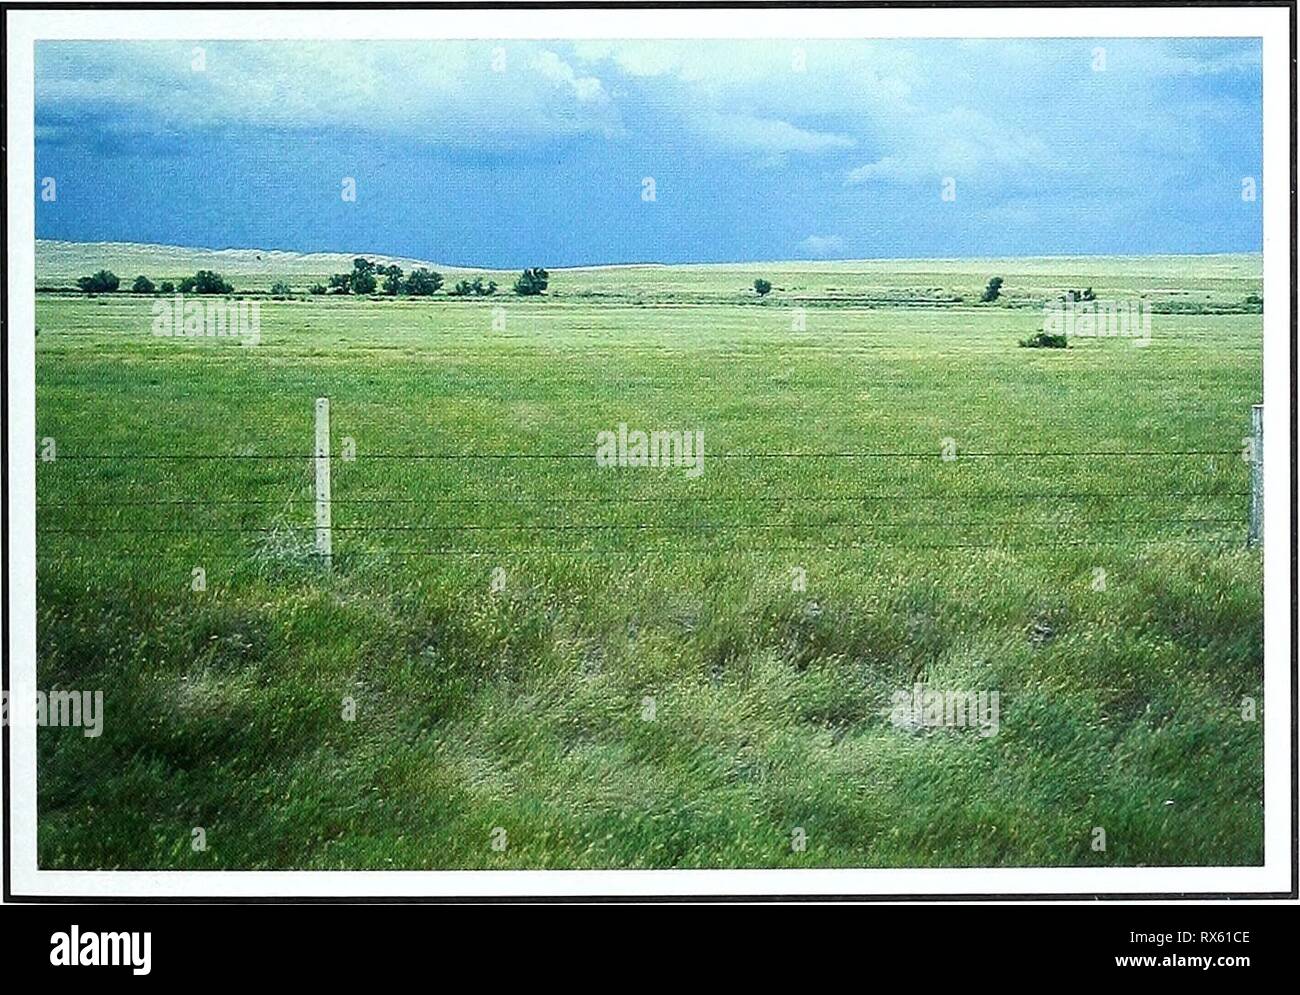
{"x":300,"y":494}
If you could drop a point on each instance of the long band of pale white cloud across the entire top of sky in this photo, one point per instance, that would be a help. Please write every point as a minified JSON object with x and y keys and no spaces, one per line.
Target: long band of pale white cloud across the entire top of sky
{"x":917,"y":111}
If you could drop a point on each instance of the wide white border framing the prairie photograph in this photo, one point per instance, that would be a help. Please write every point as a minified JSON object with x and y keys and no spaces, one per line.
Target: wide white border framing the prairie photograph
{"x":27,"y":24}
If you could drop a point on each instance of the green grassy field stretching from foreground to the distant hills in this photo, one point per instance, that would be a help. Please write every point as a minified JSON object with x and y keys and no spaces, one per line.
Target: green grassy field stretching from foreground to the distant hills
{"x":644,"y":685}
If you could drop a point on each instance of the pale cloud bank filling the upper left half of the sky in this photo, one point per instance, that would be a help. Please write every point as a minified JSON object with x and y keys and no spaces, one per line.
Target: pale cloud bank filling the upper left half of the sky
{"x":445,"y":92}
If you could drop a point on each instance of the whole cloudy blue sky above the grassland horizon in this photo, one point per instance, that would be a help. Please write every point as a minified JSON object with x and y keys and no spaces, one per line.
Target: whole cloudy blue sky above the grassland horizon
{"x":510,"y":154}
